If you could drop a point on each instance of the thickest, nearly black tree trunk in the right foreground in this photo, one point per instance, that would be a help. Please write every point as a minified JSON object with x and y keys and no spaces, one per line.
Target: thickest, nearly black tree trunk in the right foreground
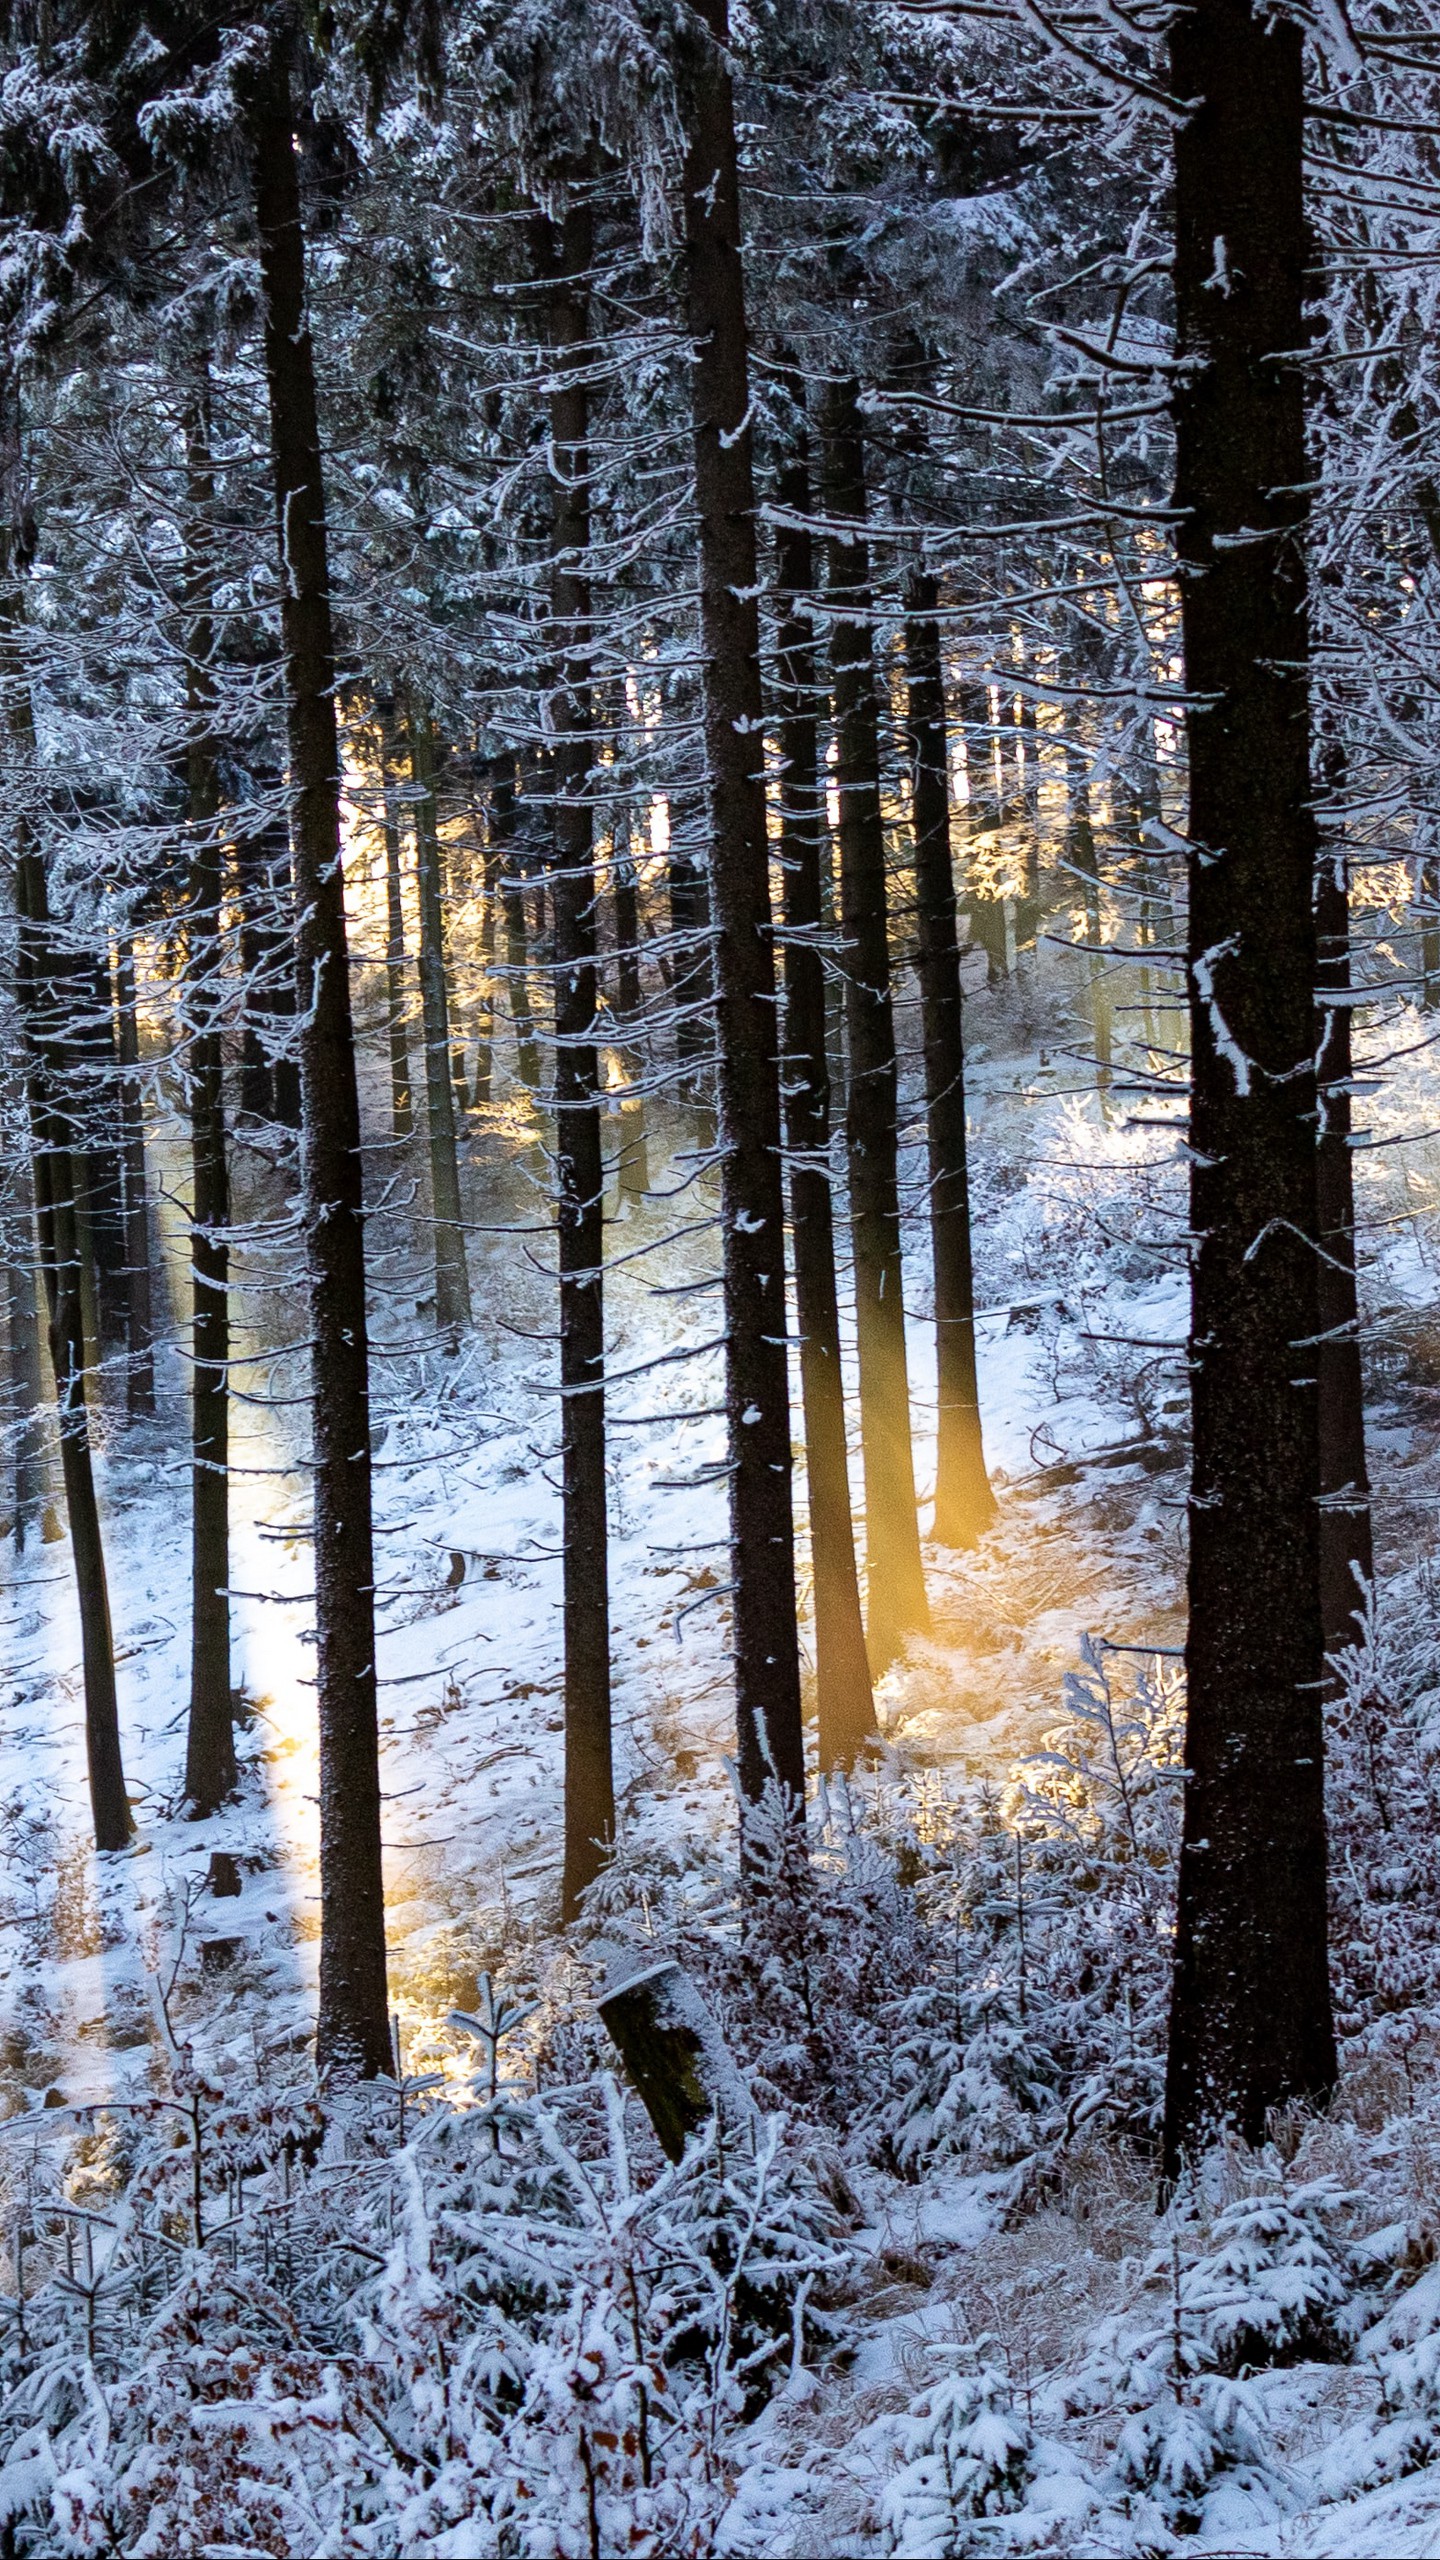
{"x":1252,"y":2021}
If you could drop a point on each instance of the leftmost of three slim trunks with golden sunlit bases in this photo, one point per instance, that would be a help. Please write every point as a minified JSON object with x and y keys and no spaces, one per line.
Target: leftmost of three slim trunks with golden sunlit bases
{"x":844,"y":1701}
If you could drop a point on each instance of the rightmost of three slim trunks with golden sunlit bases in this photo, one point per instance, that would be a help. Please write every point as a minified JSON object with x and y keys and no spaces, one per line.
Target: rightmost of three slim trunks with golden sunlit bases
{"x":965,"y":1504}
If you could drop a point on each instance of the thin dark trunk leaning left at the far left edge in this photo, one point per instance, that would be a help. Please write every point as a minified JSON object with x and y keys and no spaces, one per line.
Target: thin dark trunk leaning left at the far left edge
{"x":45,"y":1005}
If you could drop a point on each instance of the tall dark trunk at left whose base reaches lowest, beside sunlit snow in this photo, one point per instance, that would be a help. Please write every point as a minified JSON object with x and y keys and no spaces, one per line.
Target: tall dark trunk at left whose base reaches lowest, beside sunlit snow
{"x":355,"y":2016}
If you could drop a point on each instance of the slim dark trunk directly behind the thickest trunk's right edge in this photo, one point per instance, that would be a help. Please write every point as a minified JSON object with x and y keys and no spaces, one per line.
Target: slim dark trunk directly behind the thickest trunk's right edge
{"x":1346,"y":1550}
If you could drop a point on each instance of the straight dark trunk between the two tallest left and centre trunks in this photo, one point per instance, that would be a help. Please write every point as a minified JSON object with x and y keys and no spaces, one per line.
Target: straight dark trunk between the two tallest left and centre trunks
{"x":565,"y":252}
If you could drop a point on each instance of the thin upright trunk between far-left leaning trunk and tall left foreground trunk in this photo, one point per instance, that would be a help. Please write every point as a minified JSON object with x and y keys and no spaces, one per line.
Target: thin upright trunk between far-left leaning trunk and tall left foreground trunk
{"x":211,"y":1740}
